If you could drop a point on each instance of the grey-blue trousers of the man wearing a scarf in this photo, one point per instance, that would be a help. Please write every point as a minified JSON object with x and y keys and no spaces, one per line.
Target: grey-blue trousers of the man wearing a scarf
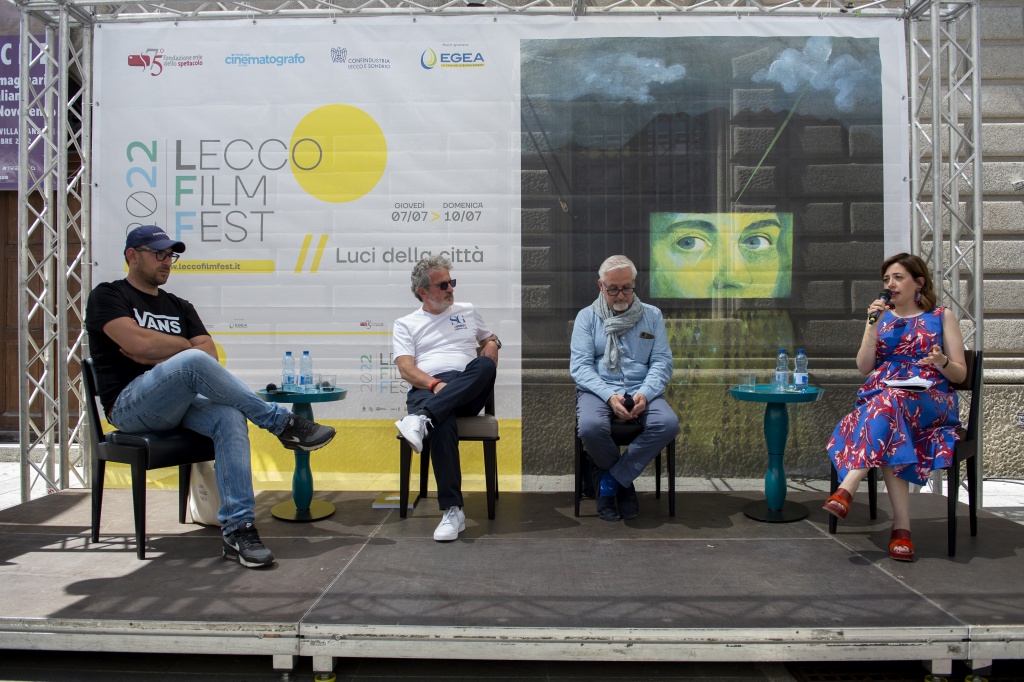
{"x":660,"y":427}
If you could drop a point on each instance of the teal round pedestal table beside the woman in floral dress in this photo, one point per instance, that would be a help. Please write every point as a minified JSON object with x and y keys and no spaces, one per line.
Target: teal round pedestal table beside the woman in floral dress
{"x":775,"y":508}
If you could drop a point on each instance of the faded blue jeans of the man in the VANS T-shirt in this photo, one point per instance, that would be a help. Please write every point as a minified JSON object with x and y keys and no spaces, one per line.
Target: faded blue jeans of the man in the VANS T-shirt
{"x":194,"y":391}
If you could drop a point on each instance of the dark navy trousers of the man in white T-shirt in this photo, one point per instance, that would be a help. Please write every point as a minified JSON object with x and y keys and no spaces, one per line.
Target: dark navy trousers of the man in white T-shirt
{"x":464,"y":395}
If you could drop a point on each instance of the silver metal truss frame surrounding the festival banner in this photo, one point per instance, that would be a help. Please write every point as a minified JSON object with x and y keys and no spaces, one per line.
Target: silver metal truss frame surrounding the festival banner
{"x":55,"y":221}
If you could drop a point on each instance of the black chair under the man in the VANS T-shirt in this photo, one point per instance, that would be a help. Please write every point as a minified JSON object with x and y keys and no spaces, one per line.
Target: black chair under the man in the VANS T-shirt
{"x":152,"y":450}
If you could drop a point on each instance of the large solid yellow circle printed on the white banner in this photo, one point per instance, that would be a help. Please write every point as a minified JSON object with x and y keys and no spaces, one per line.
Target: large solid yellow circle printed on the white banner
{"x":338,"y":153}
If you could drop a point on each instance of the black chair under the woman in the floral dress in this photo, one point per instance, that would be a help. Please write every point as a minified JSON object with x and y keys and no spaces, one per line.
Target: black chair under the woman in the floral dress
{"x":967,"y":450}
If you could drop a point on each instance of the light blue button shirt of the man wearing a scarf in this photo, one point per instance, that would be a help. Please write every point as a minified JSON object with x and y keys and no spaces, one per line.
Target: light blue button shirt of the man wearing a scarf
{"x":646,"y":364}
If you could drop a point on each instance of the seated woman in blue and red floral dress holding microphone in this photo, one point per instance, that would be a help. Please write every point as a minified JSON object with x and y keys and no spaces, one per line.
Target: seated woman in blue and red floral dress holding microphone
{"x":906,"y":433}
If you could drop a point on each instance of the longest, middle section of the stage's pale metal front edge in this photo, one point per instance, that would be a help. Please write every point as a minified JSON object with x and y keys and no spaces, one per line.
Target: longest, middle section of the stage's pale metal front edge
{"x":940,"y":647}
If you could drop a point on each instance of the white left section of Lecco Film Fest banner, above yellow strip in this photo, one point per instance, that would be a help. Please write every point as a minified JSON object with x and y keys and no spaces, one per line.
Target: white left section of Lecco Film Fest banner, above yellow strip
{"x":308,"y":166}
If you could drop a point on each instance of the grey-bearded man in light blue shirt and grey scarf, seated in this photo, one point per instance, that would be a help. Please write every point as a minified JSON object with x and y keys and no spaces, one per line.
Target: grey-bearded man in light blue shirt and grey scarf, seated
{"x":622,"y":364}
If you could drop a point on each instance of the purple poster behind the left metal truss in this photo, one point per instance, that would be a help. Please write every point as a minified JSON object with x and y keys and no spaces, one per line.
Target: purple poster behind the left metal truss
{"x":11,"y":82}
